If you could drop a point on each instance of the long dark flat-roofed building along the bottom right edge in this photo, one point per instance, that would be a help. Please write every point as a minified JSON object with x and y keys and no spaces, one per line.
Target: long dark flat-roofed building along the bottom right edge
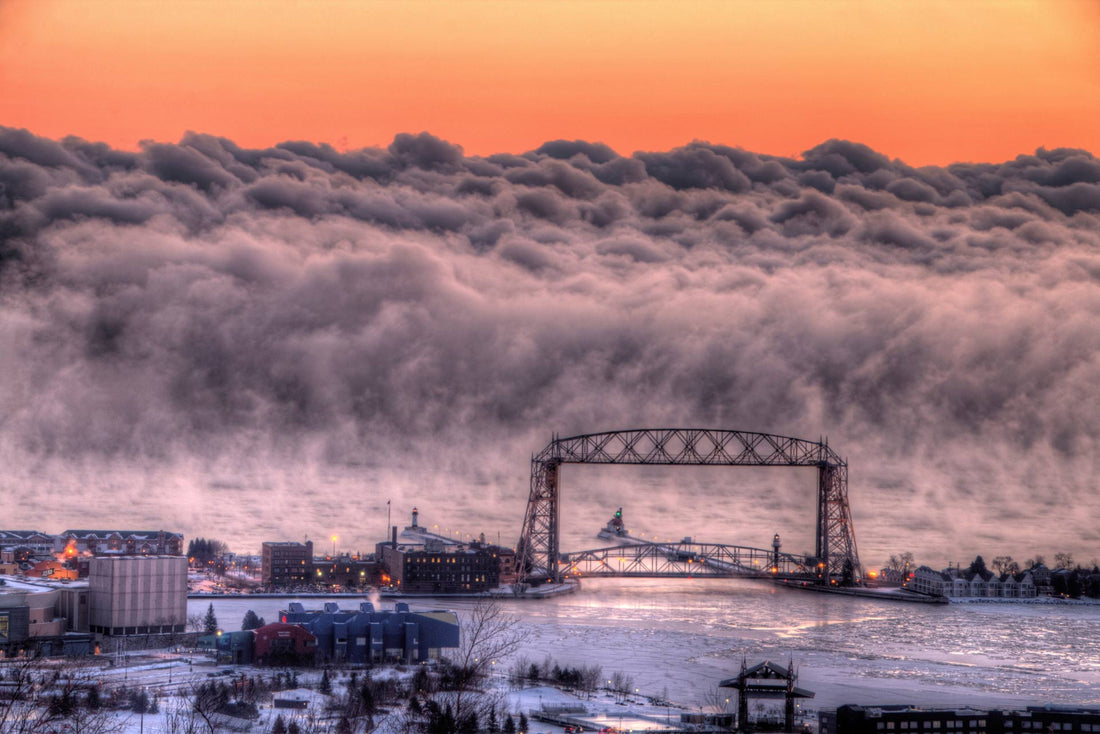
{"x":877,"y":720}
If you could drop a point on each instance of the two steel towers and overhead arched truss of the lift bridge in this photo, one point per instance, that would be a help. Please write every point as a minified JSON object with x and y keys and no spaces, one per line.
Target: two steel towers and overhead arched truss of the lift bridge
{"x":538,"y":553}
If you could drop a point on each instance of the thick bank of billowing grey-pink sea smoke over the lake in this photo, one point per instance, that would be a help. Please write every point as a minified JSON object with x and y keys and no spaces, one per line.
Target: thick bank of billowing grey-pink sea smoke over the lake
{"x":266,"y":344}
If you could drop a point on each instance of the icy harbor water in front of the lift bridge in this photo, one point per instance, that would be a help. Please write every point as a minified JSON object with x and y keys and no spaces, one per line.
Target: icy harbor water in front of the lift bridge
{"x":679,"y":639}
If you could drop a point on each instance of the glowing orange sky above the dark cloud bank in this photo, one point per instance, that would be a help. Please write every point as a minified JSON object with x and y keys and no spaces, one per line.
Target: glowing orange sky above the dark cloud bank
{"x":925,"y":82}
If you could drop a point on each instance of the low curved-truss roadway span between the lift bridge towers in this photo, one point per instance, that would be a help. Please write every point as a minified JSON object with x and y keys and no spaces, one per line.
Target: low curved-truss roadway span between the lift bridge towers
{"x":686,"y":560}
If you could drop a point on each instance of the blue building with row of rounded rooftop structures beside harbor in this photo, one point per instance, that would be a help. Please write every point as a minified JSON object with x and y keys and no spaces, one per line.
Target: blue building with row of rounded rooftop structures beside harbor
{"x":367,"y":636}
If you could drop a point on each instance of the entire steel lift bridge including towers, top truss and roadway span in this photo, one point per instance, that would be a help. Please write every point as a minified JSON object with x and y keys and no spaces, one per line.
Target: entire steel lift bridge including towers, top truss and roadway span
{"x":837,"y":561}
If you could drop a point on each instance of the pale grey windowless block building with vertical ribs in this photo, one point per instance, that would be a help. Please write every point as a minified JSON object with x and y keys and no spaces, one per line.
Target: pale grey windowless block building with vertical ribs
{"x":138,"y":595}
